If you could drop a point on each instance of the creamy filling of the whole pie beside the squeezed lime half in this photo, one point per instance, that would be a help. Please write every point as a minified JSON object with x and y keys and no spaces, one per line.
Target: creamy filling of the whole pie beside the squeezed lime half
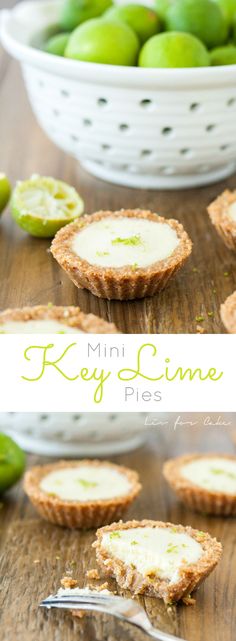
{"x":117,"y":242}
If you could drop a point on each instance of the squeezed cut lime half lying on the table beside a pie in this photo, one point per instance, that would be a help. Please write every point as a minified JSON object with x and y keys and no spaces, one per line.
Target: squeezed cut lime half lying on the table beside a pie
{"x":41,"y":206}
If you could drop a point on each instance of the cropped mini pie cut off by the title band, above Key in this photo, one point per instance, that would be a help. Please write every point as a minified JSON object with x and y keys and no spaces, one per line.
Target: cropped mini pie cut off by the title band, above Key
{"x":49,"y":319}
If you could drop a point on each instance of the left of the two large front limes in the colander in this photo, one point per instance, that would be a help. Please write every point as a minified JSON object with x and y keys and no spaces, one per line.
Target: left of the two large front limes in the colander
{"x":104,"y":41}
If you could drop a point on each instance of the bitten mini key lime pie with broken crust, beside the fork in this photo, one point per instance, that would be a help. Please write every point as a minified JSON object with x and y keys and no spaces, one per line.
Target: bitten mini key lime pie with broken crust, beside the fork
{"x":156,"y":559}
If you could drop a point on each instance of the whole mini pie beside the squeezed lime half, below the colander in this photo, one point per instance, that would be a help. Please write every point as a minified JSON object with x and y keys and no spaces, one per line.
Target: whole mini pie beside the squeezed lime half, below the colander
{"x":122,"y":255}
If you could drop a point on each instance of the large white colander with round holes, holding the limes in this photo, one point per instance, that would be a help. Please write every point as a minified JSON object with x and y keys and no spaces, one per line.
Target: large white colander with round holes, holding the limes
{"x":150,"y":128}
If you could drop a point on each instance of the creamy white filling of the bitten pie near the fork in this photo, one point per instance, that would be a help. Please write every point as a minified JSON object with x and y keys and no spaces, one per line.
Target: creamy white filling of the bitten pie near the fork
{"x":153,"y":551}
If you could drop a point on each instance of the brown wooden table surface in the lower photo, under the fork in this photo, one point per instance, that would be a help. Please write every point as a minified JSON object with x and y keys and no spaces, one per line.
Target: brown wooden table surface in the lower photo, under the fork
{"x":35,"y":555}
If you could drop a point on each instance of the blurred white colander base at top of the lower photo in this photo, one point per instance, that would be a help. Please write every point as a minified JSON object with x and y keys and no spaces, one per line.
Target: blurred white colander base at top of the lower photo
{"x":70,"y":435}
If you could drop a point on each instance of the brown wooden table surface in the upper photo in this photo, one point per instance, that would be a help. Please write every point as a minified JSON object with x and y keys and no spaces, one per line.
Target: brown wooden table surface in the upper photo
{"x":29,"y":275}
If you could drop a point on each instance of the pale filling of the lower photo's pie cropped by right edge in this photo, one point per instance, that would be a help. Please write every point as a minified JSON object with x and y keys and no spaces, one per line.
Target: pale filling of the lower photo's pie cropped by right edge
{"x":217,"y":474}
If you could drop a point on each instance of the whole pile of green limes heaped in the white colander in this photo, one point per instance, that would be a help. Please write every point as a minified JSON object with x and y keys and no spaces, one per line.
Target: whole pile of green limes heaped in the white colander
{"x":174,"y":33}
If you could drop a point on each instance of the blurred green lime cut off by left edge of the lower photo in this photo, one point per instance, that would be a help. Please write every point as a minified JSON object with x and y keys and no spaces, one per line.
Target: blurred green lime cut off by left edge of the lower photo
{"x":12,"y":462}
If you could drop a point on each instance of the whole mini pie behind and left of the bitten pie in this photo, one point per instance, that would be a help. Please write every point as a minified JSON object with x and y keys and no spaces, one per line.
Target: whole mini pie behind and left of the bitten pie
{"x":81,"y":494}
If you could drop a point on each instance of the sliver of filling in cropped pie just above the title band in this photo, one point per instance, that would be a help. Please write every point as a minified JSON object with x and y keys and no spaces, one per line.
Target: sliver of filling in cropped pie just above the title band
{"x":40,"y":326}
